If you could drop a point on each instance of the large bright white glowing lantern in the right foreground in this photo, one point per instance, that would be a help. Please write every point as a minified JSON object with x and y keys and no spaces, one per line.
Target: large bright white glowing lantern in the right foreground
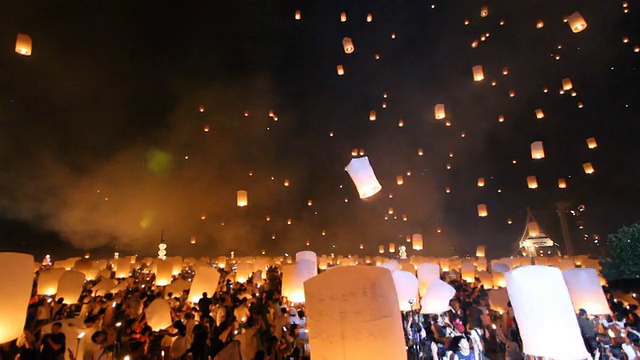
{"x":541,"y":301}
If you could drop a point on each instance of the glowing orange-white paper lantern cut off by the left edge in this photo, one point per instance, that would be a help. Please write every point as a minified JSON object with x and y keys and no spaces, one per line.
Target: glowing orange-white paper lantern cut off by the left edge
{"x":16,"y":282}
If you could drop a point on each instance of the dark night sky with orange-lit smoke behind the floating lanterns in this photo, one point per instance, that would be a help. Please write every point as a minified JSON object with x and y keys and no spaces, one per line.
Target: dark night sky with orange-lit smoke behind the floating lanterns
{"x":98,"y":122}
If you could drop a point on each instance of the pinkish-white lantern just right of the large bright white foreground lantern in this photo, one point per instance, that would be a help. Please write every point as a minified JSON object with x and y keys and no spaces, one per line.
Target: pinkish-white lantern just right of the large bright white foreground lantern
{"x":586,"y":291}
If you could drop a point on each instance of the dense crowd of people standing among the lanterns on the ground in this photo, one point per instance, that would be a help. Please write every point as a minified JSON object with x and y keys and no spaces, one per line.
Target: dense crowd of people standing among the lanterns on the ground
{"x":252,"y":320}
